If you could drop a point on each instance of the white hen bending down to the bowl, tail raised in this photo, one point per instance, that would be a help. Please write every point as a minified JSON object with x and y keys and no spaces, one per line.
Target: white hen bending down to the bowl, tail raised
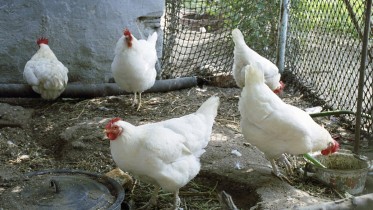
{"x":275,"y":127}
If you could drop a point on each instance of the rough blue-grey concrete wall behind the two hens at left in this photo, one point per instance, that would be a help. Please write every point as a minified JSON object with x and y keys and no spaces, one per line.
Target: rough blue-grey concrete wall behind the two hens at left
{"x":81,"y":33}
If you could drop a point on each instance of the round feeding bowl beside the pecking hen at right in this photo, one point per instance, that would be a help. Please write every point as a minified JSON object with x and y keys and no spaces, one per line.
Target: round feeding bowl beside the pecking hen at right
{"x":344,"y":171}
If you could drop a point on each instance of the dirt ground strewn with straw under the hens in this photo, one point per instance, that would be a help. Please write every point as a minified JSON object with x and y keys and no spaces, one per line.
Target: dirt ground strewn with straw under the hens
{"x":67,"y":134}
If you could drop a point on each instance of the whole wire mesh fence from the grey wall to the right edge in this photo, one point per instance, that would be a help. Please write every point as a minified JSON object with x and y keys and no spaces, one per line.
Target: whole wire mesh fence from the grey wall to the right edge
{"x":328,"y":51}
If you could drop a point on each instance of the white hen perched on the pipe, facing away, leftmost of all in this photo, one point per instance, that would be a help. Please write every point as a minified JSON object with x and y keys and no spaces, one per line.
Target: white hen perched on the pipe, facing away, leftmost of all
{"x":45,"y":73}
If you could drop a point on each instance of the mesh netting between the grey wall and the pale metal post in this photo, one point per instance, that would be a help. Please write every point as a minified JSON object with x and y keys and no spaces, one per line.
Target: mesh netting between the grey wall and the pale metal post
{"x":198,"y":35}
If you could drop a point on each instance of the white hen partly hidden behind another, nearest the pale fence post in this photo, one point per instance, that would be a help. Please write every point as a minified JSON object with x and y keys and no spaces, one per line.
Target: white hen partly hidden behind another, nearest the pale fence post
{"x":244,"y":55}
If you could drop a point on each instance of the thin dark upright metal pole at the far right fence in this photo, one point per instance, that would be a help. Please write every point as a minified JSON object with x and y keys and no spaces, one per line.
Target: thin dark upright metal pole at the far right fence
{"x":363,"y":64}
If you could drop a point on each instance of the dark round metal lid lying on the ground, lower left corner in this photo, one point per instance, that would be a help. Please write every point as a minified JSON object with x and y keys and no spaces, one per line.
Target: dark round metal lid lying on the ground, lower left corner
{"x":65,"y":189}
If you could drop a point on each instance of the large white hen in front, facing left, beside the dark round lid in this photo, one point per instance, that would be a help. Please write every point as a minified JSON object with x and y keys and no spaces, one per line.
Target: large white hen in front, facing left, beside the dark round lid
{"x":165,"y":154}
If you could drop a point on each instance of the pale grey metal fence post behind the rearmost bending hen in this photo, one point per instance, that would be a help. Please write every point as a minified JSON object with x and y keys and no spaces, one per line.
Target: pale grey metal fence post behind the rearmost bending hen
{"x":282,"y":37}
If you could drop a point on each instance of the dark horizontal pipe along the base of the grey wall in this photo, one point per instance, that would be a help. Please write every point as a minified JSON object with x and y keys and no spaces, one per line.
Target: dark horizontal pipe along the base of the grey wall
{"x":79,"y":90}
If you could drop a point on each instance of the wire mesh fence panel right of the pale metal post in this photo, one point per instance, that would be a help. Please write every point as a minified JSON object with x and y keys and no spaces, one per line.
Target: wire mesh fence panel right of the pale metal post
{"x":324,"y":46}
